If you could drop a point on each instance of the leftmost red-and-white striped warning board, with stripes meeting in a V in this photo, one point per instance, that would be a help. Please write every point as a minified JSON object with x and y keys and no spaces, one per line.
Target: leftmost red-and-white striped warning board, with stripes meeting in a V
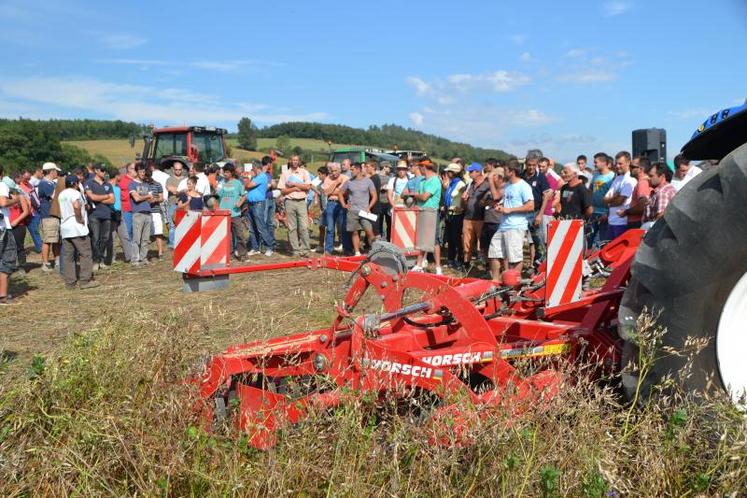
{"x":202,"y":241}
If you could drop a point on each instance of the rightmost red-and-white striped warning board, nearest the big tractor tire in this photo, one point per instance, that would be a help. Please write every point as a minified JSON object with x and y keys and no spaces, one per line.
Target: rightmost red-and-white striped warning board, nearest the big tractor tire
{"x":564,"y":262}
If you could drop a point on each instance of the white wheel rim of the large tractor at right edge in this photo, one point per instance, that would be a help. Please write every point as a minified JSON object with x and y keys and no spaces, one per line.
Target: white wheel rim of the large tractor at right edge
{"x":731,"y":343}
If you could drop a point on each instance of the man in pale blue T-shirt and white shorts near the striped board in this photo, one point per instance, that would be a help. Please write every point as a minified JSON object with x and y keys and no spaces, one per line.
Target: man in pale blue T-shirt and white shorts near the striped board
{"x":507,"y":245}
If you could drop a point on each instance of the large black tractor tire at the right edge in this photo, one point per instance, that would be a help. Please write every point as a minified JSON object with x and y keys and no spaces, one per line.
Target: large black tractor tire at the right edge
{"x":691,"y":272}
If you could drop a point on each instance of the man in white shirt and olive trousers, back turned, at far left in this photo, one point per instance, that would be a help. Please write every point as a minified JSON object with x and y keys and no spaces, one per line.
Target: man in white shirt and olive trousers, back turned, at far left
{"x":74,"y":233}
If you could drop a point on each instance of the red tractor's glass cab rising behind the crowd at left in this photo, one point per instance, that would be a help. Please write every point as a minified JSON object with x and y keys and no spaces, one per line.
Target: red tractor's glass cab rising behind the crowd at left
{"x":188,"y":144}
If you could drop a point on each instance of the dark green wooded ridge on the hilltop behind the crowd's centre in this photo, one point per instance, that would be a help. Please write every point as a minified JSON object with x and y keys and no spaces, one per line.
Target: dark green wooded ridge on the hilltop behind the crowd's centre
{"x":386,"y":137}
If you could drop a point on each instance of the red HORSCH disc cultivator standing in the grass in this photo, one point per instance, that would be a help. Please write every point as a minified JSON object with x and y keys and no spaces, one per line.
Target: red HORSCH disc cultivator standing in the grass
{"x":460,"y":340}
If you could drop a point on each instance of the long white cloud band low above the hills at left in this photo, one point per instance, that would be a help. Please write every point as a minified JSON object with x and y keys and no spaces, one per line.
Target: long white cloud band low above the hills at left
{"x":92,"y":97}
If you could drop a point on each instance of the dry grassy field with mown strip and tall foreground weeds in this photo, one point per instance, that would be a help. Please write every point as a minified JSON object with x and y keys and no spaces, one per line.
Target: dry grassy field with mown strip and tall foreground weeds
{"x":93,"y":403}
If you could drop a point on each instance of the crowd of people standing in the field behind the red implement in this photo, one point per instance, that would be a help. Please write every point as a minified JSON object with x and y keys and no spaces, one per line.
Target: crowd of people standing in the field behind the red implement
{"x":496,"y":211}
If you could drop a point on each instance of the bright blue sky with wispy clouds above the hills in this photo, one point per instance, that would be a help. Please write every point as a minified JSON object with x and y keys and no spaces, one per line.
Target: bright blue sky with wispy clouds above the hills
{"x":567,"y":77}
